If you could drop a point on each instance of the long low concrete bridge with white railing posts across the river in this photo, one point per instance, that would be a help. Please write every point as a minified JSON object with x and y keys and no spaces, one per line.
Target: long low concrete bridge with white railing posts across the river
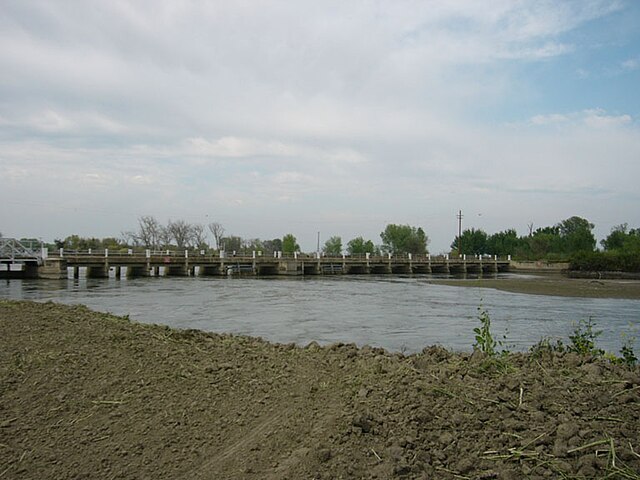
{"x":130,"y":263}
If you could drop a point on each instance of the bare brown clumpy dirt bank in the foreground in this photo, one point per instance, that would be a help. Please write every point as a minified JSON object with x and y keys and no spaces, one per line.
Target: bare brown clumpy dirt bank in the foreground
{"x":90,"y":395}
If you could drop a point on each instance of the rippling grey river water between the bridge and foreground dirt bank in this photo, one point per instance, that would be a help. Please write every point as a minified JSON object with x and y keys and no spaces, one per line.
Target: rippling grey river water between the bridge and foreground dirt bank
{"x":397,"y":313}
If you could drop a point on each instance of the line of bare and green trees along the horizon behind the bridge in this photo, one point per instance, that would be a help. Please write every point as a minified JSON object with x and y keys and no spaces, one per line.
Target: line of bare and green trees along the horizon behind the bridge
{"x":559,"y":242}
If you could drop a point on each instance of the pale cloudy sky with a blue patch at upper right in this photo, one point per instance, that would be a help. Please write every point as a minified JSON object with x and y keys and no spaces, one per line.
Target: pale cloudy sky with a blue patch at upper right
{"x":276,"y":117}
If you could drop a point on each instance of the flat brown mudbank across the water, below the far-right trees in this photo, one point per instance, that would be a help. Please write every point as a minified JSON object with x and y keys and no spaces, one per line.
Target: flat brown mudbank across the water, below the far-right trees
{"x":557,"y":285}
